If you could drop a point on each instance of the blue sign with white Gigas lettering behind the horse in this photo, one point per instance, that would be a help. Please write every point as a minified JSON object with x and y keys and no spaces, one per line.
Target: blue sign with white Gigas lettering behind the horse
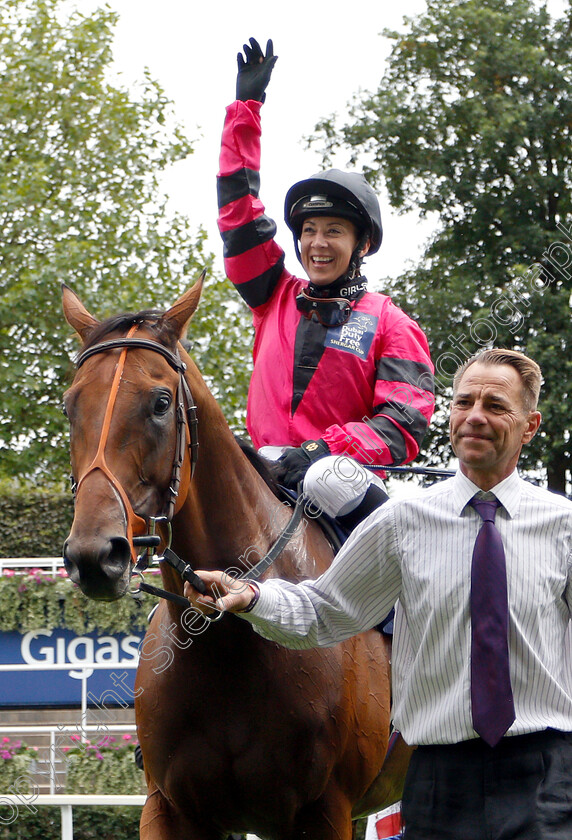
{"x":111,"y":687}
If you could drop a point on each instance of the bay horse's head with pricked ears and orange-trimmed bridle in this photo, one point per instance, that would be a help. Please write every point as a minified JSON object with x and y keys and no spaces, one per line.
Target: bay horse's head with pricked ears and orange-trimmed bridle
{"x":127,"y":414}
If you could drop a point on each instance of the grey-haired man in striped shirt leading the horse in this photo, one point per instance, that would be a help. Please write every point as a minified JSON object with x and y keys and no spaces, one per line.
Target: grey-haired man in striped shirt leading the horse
{"x":419,"y":551}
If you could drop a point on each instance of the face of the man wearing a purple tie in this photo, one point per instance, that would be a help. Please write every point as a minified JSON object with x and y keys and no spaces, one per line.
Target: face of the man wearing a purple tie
{"x":489,"y":424}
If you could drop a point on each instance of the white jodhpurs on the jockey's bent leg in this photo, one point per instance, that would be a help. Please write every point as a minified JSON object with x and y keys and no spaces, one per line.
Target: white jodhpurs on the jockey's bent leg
{"x":337,"y":484}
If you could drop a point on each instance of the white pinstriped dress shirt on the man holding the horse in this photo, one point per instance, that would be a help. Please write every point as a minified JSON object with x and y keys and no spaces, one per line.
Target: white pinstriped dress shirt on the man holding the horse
{"x":419,"y":551}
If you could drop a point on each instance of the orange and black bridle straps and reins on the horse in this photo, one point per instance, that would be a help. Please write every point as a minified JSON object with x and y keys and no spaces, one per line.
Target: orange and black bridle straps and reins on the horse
{"x":187,"y":437}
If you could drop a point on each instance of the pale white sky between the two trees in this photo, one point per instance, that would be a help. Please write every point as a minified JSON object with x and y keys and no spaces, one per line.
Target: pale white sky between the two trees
{"x":327,"y":53}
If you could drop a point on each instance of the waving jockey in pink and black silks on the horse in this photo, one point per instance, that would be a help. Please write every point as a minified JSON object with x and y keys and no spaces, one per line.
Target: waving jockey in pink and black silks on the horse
{"x":342,"y":377}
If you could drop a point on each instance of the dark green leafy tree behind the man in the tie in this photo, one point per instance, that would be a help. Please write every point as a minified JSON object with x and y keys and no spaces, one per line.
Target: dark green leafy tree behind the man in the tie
{"x":472,"y":121}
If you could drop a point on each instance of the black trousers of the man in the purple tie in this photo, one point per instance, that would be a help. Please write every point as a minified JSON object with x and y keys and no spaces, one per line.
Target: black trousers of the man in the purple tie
{"x":519,"y":790}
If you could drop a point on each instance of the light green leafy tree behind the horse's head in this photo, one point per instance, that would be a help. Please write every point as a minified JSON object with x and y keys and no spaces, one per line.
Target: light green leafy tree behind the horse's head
{"x":80,"y":161}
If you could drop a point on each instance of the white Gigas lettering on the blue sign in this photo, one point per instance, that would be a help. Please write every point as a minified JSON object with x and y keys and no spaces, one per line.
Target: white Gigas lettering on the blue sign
{"x":77,"y":650}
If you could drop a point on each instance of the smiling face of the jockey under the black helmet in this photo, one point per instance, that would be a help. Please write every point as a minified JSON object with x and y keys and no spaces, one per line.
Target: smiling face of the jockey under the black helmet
{"x":326,"y":246}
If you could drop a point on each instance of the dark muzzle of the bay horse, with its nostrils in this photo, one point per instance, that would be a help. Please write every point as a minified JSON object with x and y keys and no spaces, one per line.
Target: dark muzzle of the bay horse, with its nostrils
{"x":102,"y":569}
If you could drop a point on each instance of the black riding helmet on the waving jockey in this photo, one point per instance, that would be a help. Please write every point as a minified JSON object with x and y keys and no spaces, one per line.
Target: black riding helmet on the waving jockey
{"x":335,"y":193}
